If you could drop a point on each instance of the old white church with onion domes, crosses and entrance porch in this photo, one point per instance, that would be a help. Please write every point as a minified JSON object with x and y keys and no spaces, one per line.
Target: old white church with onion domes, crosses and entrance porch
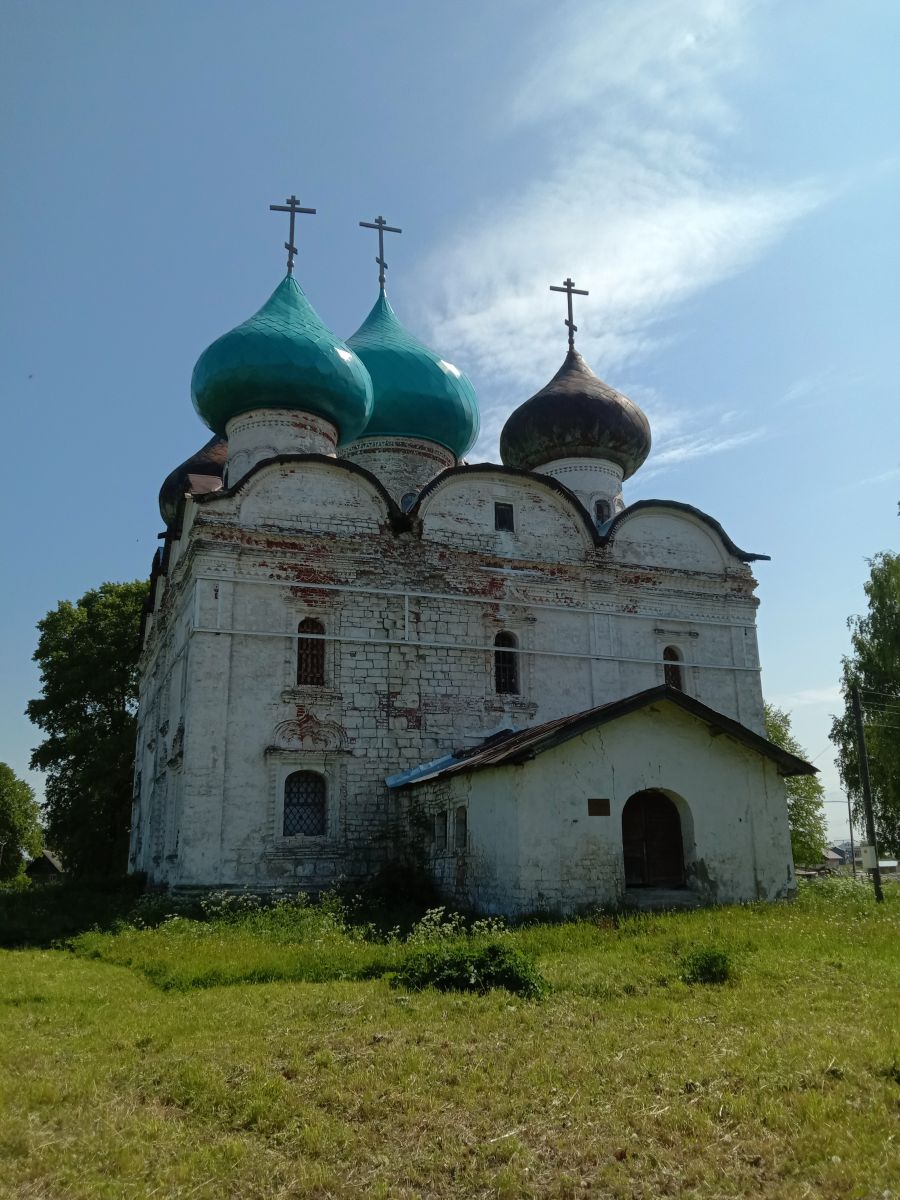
{"x":362,"y":651}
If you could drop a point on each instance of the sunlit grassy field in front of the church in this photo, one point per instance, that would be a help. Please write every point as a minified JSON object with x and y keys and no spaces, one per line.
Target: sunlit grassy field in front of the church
{"x":265,"y":1054}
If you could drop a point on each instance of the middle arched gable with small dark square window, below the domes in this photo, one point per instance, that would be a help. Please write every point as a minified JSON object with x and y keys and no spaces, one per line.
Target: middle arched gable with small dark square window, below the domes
{"x":500,"y":511}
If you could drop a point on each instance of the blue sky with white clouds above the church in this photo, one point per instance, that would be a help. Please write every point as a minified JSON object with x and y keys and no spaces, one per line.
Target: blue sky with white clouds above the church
{"x":723,"y":177}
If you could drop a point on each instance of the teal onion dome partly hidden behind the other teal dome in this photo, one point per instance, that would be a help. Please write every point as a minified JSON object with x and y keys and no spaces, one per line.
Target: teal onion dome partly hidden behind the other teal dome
{"x":417,"y":393}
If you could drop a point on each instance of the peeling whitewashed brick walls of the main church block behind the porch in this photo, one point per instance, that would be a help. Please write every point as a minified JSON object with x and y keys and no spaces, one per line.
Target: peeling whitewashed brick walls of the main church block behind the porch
{"x":411,"y":616}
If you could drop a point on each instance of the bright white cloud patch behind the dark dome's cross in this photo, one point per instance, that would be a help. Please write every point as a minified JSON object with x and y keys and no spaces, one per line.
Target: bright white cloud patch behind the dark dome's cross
{"x":640,"y":248}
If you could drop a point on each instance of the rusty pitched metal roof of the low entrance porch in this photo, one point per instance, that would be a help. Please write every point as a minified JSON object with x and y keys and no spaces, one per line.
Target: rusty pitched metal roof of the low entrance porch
{"x":518,"y":747}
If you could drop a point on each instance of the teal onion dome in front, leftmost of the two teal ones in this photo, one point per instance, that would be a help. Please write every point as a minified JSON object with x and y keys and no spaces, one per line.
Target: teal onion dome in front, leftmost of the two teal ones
{"x":284,"y":357}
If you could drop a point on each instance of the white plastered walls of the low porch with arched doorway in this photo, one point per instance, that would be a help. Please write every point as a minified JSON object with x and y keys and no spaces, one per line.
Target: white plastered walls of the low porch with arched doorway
{"x":533,"y":847}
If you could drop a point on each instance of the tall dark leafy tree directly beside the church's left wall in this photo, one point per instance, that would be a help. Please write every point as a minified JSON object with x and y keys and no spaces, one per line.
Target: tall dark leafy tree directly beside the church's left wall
{"x":88,"y":655}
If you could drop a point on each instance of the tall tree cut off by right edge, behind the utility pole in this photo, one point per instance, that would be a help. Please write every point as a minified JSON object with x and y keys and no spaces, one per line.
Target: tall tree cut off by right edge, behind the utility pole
{"x":874,"y":667}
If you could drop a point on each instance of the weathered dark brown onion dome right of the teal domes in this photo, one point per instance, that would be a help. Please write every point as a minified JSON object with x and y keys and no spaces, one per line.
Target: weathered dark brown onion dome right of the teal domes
{"x":577,"y":417}
